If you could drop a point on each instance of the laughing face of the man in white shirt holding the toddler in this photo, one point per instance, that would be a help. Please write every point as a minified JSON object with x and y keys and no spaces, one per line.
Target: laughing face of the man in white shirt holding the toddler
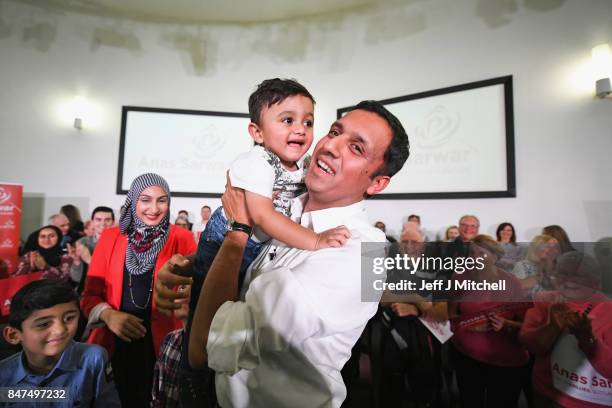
{"x":345,"y":159}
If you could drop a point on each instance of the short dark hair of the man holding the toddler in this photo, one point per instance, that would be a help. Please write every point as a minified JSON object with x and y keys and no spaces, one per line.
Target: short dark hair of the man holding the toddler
{"x":399,"y":148}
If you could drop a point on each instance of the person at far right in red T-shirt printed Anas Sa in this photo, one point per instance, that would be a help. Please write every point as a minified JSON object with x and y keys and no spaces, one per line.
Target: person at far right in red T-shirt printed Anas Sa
{"x":569,"y":330}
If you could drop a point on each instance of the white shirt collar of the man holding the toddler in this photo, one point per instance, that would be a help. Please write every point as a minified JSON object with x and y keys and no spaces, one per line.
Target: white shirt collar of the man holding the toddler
{"x":321,"y":220}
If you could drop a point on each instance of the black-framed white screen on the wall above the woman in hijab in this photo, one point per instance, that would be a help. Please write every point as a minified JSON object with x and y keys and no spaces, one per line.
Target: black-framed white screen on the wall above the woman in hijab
{"x":191,"y":149}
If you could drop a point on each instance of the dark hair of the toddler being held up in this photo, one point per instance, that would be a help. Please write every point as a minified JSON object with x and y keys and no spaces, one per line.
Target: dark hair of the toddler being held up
{"x":273,"y":91}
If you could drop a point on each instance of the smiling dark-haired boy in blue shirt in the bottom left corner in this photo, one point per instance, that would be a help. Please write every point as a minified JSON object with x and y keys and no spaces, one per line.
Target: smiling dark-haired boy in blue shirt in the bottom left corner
{"x":43,"y":320}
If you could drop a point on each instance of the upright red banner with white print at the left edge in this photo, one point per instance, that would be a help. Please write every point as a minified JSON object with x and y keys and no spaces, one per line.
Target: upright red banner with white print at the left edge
{"x":11,"y":200}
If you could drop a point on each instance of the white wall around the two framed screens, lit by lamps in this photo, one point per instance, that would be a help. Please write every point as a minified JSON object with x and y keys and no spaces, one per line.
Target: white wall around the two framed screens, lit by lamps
{"x":563,"y":135}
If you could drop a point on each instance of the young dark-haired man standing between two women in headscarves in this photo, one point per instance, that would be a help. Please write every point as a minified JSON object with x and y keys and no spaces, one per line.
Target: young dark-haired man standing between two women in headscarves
{"x":101,"y":219}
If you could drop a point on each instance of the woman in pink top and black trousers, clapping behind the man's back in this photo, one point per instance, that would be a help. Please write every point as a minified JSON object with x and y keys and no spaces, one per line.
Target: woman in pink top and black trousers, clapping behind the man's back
{"x":490,"y":362}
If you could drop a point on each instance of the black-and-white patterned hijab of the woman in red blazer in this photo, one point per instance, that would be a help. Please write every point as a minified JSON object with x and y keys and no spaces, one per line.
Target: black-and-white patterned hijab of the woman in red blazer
{"x":144,"y":241}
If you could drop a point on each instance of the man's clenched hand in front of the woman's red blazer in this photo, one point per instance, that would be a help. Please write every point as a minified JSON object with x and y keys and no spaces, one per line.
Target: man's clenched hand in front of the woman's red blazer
{"x":175,"y":272}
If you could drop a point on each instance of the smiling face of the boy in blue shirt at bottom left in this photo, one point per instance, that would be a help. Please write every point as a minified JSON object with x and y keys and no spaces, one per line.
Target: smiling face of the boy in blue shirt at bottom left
{"x":47,"y":332}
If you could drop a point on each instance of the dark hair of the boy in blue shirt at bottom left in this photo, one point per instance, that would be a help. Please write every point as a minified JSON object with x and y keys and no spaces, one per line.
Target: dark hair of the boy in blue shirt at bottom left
{"x":38,"y":295}
